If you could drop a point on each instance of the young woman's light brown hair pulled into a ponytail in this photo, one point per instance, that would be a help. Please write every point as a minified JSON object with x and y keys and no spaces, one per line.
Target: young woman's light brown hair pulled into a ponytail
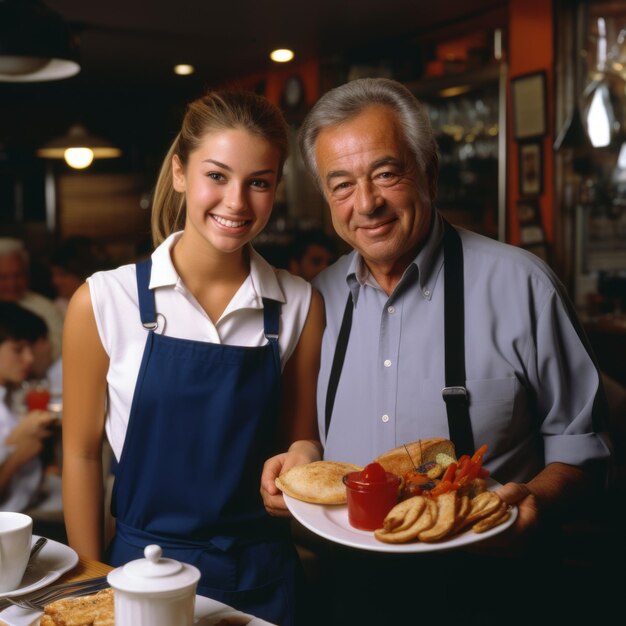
{"x":213,"y":112}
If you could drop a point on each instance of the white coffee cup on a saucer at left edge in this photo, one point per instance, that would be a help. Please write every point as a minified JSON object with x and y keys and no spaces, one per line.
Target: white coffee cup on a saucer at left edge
{"x":16,"y":531}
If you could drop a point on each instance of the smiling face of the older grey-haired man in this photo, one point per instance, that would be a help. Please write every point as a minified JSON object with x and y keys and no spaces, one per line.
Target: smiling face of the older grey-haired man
{"x":372,"y":185}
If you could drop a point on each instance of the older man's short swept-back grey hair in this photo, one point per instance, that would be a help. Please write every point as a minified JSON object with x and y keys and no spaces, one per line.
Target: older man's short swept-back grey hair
{"x":349,"y":100}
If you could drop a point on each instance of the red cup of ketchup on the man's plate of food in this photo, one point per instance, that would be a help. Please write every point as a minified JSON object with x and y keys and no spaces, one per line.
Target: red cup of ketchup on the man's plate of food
{"x":372,"y":493}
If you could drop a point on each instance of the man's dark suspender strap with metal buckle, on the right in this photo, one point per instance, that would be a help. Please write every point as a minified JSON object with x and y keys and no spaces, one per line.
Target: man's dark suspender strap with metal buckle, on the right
{"x":454,"y":393}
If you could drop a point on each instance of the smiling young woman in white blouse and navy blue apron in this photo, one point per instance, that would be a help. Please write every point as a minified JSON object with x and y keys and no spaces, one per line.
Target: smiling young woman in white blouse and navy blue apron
{"x":179,"y":359}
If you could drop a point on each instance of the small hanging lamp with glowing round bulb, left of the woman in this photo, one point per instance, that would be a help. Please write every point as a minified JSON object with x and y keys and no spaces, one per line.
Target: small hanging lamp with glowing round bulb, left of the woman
{"x":79,"y":148}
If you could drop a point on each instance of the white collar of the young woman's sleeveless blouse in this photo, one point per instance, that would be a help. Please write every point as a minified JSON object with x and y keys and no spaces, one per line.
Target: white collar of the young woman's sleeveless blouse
{"x":262,"y":275}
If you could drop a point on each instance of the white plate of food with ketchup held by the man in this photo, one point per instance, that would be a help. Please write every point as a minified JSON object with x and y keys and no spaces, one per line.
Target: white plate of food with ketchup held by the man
{"x":418,"y":497}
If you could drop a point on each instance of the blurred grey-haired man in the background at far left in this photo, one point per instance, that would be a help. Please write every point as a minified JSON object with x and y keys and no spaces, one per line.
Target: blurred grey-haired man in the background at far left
{"x":14,"y":287}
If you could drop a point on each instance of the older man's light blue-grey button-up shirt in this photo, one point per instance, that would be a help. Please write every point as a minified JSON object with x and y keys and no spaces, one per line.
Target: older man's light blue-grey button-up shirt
{"x":535,"y":393}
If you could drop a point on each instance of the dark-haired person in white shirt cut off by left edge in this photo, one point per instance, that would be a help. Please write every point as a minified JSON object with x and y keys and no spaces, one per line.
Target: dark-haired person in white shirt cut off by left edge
{"x":21,"y":439}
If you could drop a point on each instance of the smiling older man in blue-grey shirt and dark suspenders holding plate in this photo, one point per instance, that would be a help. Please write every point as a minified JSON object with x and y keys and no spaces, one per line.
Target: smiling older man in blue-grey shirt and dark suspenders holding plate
{"x":434,"y":331}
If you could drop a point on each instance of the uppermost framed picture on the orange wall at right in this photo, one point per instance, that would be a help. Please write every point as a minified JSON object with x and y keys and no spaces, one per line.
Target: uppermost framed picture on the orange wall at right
{"x":528,"y":93}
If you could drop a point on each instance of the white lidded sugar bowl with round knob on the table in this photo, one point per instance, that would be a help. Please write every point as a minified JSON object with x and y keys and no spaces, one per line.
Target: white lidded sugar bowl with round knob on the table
{"x":154,"y":591}
